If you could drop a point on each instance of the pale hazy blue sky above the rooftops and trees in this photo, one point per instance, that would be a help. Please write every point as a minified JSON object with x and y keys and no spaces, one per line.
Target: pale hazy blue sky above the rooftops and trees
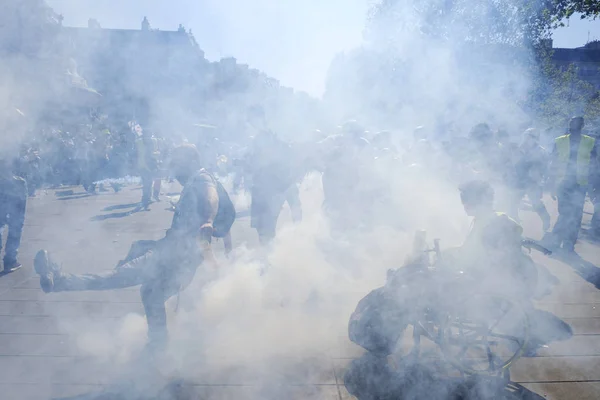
{"x":291,"y":40}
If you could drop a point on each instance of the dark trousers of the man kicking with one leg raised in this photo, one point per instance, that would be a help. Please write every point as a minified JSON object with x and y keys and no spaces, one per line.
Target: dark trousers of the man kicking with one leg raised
{"x":161,"y":268}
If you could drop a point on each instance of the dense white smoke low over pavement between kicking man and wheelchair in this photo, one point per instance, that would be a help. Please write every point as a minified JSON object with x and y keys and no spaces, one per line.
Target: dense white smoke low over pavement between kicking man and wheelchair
{"x":254,"y":316}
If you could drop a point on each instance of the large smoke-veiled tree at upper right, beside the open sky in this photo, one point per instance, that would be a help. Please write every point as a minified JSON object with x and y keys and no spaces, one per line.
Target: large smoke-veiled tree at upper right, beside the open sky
{"x":459,"y":59}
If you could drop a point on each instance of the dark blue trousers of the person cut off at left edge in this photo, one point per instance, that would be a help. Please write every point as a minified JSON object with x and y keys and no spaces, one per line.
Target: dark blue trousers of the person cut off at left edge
{"x":12,"y":214}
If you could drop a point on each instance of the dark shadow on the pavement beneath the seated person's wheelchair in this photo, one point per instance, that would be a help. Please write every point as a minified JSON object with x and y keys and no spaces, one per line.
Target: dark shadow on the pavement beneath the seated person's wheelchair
{"x":372,"y":378}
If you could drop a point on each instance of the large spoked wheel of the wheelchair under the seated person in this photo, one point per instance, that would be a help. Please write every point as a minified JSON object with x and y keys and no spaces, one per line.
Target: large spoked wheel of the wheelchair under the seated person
{"x":484,"y":334}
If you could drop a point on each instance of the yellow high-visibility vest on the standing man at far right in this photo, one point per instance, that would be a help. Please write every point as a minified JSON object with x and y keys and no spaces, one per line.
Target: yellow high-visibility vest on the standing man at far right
{"x":584,"y":155}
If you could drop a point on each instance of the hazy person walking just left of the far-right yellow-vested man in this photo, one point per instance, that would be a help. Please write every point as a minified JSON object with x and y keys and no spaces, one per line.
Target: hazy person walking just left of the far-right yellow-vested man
{"x":530,"y":171}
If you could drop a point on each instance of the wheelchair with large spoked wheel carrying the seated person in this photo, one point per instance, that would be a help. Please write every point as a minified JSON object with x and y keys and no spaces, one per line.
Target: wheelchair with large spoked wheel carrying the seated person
{"x":478,"y":333}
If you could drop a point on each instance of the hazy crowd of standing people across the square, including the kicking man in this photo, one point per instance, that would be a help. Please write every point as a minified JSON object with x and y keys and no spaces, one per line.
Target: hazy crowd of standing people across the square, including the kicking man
{"x":359,"y":170}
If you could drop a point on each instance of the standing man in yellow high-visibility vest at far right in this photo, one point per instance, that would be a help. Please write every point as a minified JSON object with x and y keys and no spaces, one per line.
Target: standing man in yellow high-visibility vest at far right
{"x":574,"y":163}
